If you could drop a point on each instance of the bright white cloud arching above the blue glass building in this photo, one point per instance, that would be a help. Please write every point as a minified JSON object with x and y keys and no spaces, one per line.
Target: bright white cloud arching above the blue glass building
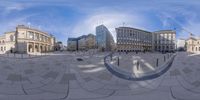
{"x":111,"y":20}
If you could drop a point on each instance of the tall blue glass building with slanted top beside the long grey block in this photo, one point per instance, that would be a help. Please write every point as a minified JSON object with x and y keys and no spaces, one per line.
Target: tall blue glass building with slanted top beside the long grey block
{"x":104,"y":39}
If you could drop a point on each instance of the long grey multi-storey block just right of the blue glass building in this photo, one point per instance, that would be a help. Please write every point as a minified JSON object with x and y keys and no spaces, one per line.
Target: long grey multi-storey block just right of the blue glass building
{"x":132,"y":39}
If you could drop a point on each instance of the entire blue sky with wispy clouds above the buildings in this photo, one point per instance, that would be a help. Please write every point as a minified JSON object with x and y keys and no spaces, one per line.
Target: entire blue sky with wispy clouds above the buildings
{"x":72,"y":18}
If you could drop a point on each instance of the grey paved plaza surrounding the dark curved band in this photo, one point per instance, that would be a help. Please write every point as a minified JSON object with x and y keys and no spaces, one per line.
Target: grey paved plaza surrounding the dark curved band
{"x":60,"y":76}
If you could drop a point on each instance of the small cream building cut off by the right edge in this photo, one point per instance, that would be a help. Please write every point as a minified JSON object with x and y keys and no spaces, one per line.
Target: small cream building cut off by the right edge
{"x":193,"y":45}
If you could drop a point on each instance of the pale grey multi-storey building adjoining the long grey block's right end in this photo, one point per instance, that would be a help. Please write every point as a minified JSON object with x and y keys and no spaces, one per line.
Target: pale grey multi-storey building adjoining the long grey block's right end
{"x":164,"y":41}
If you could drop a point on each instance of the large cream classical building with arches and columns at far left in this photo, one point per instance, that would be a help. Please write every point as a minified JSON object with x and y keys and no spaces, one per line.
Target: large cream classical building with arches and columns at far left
{"x":26,"y":40}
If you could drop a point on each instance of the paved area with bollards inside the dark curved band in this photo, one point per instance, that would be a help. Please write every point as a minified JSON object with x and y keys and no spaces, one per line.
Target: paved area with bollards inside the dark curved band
{"x":147,"y":62}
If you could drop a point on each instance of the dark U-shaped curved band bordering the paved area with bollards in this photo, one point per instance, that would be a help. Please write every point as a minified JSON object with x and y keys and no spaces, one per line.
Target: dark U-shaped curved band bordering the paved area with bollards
{"x":115,"y":70}
